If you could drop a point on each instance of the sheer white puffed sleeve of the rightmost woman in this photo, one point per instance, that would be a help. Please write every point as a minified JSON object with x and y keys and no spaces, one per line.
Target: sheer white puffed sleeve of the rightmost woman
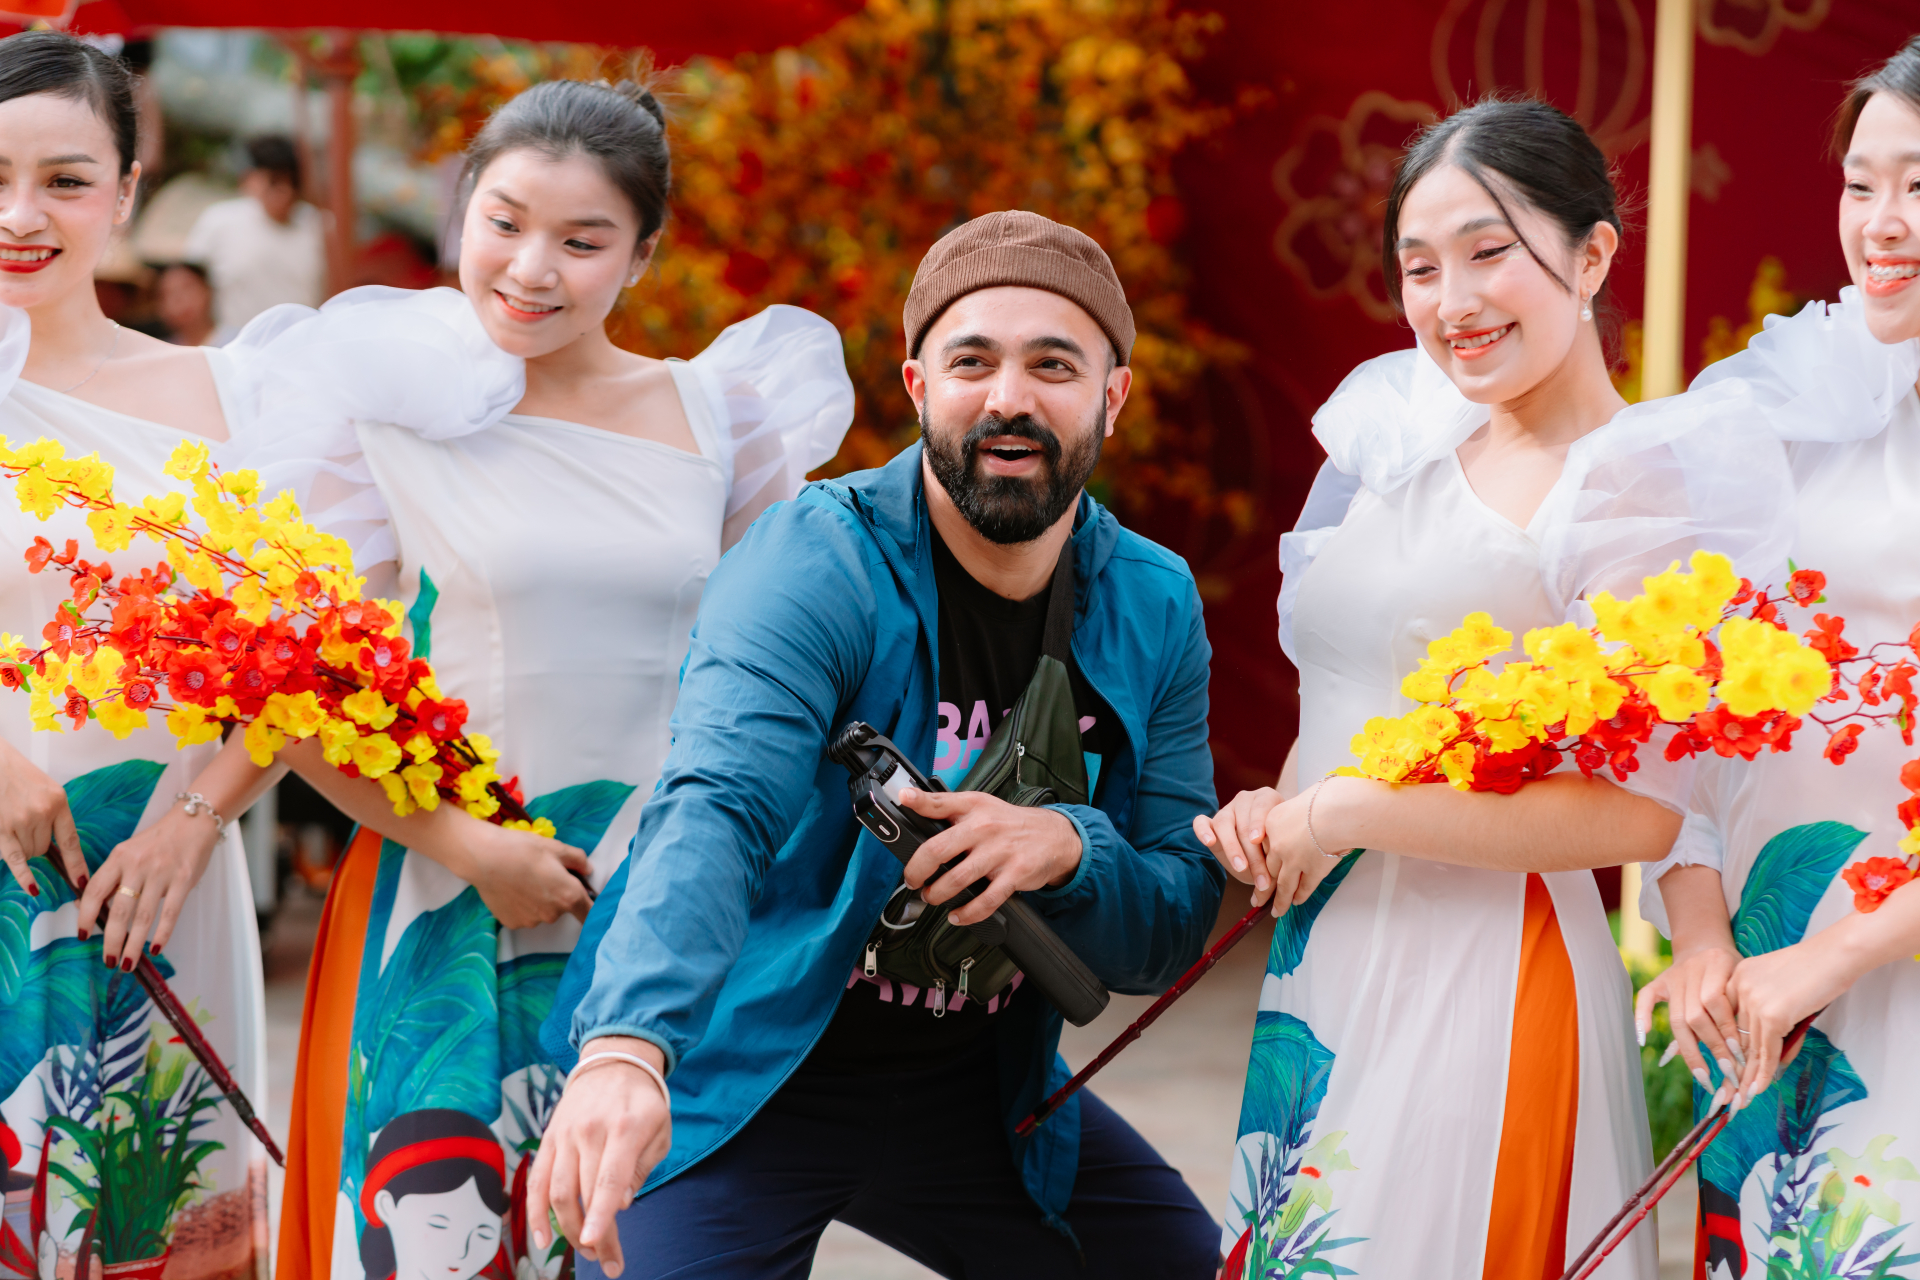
{"x":1821,"y":375}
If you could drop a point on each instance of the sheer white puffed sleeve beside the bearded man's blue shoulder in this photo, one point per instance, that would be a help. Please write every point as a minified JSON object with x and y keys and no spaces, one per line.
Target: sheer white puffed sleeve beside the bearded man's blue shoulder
{"x":779,"y":391}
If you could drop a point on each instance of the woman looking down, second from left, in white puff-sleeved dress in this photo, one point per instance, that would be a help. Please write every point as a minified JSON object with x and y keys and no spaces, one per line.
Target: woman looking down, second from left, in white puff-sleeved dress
{"x":548,"y":510}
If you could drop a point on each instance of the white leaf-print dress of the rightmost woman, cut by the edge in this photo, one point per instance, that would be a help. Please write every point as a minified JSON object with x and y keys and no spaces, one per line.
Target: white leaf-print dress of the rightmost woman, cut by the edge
{"x":1821,"y":1175}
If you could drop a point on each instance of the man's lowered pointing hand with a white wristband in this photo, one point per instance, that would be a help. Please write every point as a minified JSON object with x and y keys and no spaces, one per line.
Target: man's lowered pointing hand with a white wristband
{"x":606,"y":1137}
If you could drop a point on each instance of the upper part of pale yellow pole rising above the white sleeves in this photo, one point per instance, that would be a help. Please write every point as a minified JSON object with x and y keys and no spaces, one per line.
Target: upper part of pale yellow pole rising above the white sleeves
{"x":1668,"y":199}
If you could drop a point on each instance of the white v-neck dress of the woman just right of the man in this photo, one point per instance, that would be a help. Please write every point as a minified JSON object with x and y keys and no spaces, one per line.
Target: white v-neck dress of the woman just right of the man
{"x":1380,"y":1074}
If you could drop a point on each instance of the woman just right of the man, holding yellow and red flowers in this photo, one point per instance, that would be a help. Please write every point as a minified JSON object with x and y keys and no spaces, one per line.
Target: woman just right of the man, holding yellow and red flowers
{"x":1443,"y":1079}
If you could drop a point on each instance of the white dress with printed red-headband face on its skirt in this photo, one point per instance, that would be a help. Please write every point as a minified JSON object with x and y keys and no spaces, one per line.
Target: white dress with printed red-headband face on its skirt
{"x":552,"y":575}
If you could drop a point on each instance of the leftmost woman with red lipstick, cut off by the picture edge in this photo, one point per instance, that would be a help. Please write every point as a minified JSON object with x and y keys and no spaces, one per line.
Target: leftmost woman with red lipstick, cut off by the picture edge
{"x":145,"y":828}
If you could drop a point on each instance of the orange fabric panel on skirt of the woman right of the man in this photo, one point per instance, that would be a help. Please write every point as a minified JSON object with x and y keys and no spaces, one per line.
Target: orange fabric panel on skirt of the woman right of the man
{"x":1527,"y":1227}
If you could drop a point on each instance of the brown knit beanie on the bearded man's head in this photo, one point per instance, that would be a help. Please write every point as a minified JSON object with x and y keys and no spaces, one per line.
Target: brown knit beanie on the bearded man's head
{"x":1019,"y":249}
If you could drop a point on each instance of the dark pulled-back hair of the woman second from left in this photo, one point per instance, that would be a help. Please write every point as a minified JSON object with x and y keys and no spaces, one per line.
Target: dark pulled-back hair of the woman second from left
{"x":623,"y":128}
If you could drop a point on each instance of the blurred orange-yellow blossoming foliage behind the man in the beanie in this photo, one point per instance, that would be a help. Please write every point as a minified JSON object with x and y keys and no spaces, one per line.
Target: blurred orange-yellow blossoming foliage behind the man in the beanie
{"x":821,"y":176}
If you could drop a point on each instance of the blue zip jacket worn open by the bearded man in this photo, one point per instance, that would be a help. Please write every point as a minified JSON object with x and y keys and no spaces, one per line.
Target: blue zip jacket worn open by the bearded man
{"x":729,"y":934}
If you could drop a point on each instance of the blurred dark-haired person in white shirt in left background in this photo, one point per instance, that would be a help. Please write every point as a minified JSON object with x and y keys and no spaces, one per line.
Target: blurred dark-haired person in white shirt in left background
{"x":266,"y":247}
